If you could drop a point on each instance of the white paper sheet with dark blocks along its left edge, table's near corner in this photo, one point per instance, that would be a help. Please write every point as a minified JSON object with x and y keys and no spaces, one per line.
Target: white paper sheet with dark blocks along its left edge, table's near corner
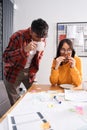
{"x":24,"y":121}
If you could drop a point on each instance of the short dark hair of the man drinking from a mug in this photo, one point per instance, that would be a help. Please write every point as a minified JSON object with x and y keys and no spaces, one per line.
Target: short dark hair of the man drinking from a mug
{"x":40,"y":27}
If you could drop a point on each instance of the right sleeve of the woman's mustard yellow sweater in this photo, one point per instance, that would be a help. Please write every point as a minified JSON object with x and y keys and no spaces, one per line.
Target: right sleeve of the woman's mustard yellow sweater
{"x":76,"y":72}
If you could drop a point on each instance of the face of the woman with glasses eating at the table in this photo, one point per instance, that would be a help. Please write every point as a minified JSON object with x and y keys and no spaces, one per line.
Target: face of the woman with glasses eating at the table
{"x":66,"y":51}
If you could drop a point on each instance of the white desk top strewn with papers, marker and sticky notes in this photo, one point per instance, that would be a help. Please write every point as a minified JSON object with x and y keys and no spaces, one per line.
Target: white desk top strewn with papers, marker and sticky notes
{"x":65,"y":116}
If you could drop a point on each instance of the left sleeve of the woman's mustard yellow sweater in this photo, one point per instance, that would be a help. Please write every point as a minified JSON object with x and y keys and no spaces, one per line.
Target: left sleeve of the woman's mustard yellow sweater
{"x":54,"y":74}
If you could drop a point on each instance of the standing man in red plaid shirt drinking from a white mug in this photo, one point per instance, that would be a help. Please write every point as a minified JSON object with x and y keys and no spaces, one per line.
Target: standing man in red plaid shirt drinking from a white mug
{"x":20,"y":64}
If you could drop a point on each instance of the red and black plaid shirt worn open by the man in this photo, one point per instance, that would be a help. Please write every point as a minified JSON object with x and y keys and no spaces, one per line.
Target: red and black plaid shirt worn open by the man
{"x":15,"y":57}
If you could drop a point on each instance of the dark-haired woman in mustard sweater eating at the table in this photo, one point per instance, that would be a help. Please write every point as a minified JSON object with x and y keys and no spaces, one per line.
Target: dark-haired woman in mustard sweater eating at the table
{"x":66,"y":67}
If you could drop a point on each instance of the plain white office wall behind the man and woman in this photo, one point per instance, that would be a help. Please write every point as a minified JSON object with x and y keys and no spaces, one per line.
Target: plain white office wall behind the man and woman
{"x":52,"y":11}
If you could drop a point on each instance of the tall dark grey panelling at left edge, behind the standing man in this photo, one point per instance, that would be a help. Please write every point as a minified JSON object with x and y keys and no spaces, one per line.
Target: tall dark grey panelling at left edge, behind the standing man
{"x":6,"y":28}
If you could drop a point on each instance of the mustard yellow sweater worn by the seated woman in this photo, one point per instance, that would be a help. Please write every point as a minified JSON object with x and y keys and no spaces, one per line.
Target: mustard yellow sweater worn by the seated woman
{"x":66,"y":75}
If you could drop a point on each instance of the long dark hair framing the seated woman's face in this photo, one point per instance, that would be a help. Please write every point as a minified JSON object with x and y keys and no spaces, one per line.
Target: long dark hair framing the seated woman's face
{"x":69,"y":42}
